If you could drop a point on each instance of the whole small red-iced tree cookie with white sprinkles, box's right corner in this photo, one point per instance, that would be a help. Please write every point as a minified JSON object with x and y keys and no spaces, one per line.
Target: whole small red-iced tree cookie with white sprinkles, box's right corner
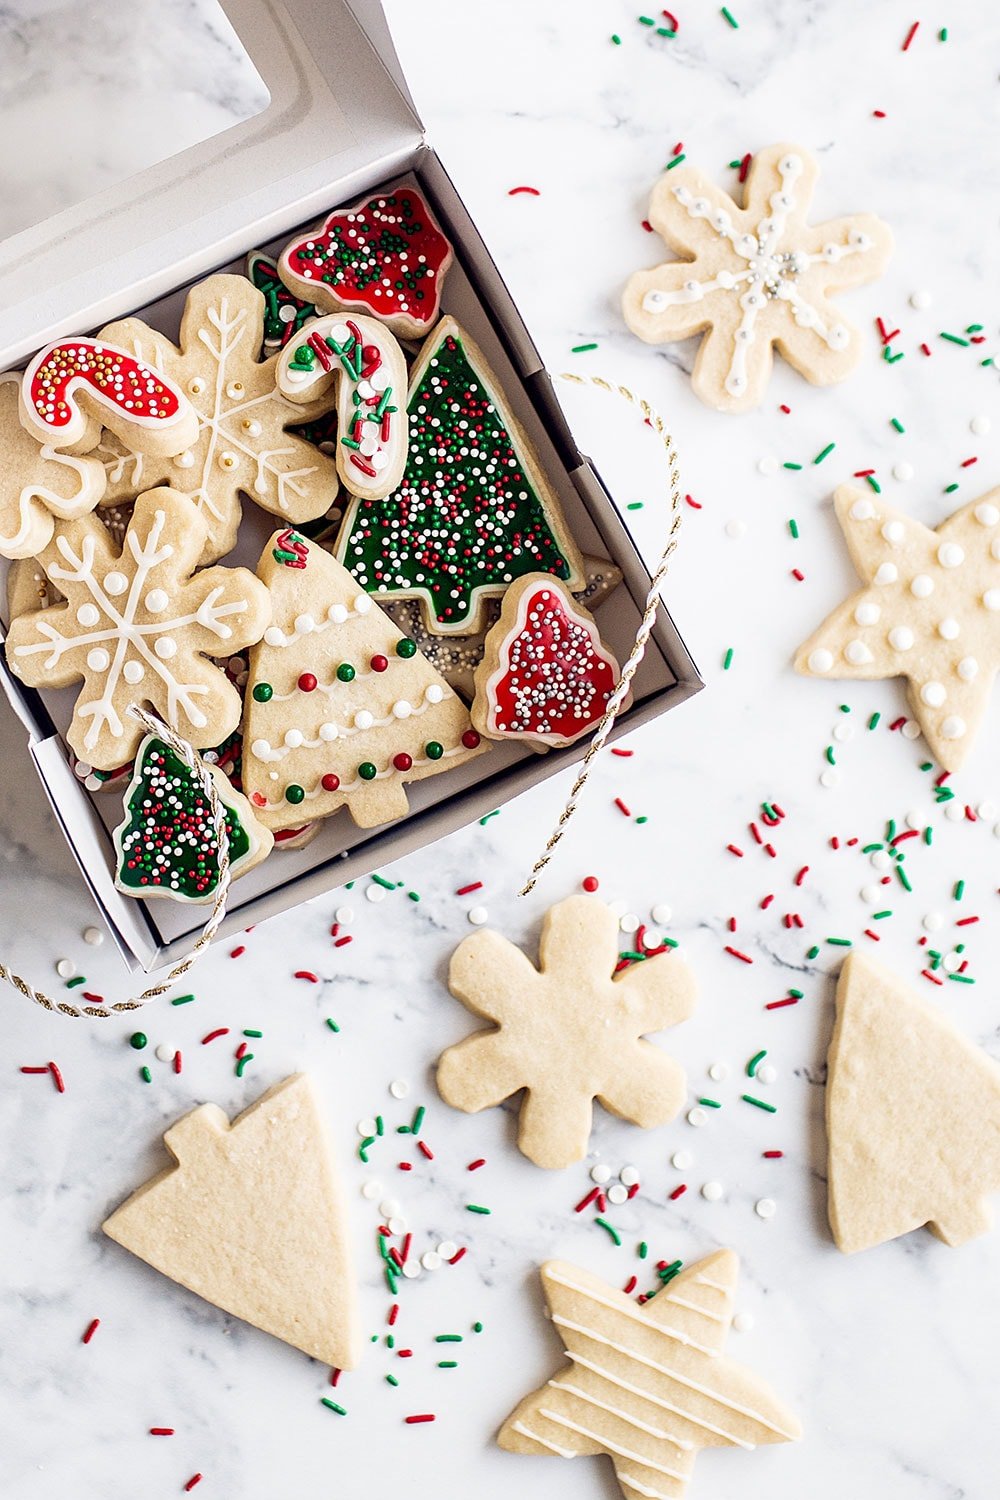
{"x":546,"y":676}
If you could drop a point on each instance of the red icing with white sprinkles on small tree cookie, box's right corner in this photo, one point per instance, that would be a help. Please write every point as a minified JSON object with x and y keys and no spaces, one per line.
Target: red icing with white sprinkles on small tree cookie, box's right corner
{"x":555,"y":677}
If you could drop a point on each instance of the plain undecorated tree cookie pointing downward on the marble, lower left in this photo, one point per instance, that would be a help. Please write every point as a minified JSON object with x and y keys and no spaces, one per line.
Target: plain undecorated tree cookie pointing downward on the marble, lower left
{"x":251,"y":1219}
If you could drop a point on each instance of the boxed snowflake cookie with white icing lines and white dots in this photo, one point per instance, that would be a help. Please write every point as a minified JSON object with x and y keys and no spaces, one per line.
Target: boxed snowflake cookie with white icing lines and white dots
{"x":137,"y":628}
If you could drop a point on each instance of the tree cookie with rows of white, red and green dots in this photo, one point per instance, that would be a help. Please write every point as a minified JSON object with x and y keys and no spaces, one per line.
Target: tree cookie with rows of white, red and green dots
{"x":341,"y":710}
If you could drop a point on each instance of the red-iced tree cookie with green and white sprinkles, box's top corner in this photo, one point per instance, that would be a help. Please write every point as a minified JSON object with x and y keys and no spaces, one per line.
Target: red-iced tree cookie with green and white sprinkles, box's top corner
{"x":386,"y":257}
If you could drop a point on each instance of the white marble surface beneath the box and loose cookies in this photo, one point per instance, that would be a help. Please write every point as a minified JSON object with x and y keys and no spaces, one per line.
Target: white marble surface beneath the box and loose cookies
{"x":890,"y":1358}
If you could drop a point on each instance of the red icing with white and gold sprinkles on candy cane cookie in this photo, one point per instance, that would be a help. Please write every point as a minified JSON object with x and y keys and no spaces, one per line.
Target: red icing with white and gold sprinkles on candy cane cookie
{"x":116,"y":379}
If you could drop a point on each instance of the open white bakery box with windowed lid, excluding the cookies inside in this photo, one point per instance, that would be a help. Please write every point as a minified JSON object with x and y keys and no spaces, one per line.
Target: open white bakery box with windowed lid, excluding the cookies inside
{"x":341,"y":124}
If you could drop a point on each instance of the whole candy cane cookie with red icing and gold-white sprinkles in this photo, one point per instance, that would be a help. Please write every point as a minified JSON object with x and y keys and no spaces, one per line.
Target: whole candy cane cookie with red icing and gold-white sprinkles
{"x":76,"y":388}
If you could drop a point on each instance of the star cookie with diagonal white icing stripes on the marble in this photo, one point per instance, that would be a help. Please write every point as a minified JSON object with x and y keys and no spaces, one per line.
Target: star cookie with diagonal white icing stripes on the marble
{"x":648,"y":1385}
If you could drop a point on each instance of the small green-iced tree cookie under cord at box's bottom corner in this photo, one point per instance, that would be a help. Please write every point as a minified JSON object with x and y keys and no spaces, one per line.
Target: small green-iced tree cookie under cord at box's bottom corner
{"x":167,"y":844}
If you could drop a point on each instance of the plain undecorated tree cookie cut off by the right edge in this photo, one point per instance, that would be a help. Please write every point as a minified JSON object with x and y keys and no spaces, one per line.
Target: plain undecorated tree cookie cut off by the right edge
{"x":912,"y":1117}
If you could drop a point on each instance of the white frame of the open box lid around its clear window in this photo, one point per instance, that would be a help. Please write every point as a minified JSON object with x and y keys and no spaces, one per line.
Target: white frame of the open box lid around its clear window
{"x":337,"y":109}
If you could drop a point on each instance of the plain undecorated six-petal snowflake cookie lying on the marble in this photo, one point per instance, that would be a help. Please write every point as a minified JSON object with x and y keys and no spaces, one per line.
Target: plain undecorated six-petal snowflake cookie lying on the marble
{"x":567,"y":1033}
